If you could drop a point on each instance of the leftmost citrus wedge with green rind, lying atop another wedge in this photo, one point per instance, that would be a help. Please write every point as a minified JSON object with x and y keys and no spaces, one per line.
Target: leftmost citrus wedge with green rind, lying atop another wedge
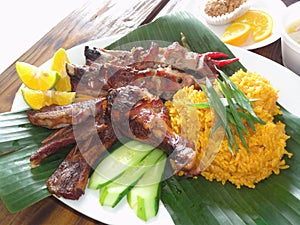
{"x":36,"y":78}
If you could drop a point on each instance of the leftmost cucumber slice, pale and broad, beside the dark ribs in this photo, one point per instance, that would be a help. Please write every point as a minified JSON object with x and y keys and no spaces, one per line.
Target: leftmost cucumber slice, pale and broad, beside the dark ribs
{"x":117,"y":162}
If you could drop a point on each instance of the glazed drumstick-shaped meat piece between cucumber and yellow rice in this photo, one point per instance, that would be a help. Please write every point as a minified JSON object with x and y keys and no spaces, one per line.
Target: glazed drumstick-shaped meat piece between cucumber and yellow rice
{"x":137,"y":114}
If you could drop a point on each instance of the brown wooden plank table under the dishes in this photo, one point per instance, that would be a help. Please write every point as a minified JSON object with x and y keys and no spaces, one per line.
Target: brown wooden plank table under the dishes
{"x":95,"y":19}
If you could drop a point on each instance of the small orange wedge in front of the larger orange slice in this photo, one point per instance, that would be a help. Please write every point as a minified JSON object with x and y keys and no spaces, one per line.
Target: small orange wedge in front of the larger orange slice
{"x":236,"y":34}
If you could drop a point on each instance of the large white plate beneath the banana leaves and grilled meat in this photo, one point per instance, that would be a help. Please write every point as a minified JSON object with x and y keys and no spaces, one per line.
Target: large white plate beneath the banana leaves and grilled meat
{"x":281,"y":78}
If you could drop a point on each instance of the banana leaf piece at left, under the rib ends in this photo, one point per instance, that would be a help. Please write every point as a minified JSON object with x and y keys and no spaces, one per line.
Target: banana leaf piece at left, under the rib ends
{"x":21,"y":186}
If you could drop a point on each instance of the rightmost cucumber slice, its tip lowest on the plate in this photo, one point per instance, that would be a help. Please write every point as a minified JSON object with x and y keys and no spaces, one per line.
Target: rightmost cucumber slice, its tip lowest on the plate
{"x":144,"y":197}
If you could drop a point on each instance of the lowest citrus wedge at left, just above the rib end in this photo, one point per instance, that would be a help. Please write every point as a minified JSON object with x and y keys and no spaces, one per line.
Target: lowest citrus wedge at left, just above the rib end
{"x":36,"y":99}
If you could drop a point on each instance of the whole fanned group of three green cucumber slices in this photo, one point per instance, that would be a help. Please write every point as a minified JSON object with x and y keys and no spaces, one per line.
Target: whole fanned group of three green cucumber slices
{"x":134,"y":169}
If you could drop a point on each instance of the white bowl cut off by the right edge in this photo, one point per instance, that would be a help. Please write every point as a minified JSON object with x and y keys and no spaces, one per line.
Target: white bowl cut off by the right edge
{"x":290,"y":48}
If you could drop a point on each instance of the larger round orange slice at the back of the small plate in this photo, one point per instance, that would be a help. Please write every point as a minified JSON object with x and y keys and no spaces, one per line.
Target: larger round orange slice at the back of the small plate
{"x":261,"y":23}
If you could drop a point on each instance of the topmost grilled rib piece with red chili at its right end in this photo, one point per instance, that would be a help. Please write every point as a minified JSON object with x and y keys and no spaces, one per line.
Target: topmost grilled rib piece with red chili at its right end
{"x":174,"y":54}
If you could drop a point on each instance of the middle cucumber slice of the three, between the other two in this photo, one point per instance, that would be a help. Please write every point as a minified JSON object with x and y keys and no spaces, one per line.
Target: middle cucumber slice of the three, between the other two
{"x":112,"y":193}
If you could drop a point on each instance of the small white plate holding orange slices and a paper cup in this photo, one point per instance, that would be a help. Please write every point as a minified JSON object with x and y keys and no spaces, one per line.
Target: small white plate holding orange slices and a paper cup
{"x":273,"y":7}
